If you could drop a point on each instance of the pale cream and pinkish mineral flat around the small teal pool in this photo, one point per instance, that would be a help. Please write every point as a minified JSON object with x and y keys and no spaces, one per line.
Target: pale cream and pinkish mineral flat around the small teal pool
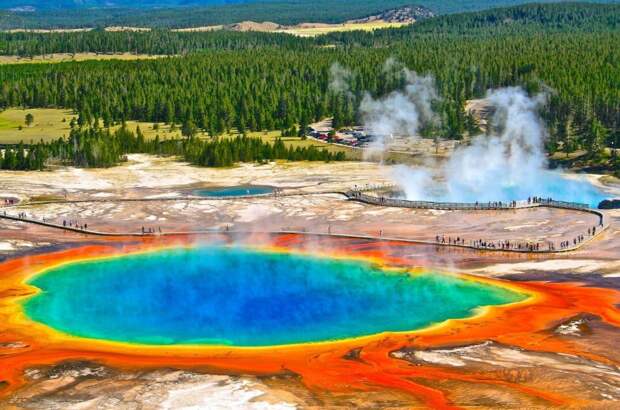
{"x":153,"y":196}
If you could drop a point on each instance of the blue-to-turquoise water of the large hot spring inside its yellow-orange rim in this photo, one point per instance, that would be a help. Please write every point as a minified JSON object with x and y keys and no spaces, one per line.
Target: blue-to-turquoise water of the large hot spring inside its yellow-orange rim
{"x":242,"y":297}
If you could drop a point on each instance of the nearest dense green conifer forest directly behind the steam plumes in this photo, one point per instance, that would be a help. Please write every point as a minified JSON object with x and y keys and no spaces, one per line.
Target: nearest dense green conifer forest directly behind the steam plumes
{"x":273,"y":88}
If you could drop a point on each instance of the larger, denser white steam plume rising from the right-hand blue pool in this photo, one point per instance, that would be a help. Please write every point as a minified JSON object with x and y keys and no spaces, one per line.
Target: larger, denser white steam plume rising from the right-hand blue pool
{"x":506,"y":164}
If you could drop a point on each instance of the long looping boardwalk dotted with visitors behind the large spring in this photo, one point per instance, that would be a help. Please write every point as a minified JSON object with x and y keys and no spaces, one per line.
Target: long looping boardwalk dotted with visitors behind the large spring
{"x":357,"y":194}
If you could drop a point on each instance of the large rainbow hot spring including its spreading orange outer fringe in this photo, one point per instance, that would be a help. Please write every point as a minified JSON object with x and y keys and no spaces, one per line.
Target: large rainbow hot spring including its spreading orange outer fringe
{"x":243,"y":308}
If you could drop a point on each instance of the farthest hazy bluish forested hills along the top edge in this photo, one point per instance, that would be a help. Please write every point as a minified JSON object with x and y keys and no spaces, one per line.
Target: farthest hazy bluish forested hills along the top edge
{"x":124,"y":13}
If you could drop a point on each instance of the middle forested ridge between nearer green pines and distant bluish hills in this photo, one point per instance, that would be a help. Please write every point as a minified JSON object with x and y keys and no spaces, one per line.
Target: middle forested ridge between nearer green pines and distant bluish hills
{"x":529,"y":19}
